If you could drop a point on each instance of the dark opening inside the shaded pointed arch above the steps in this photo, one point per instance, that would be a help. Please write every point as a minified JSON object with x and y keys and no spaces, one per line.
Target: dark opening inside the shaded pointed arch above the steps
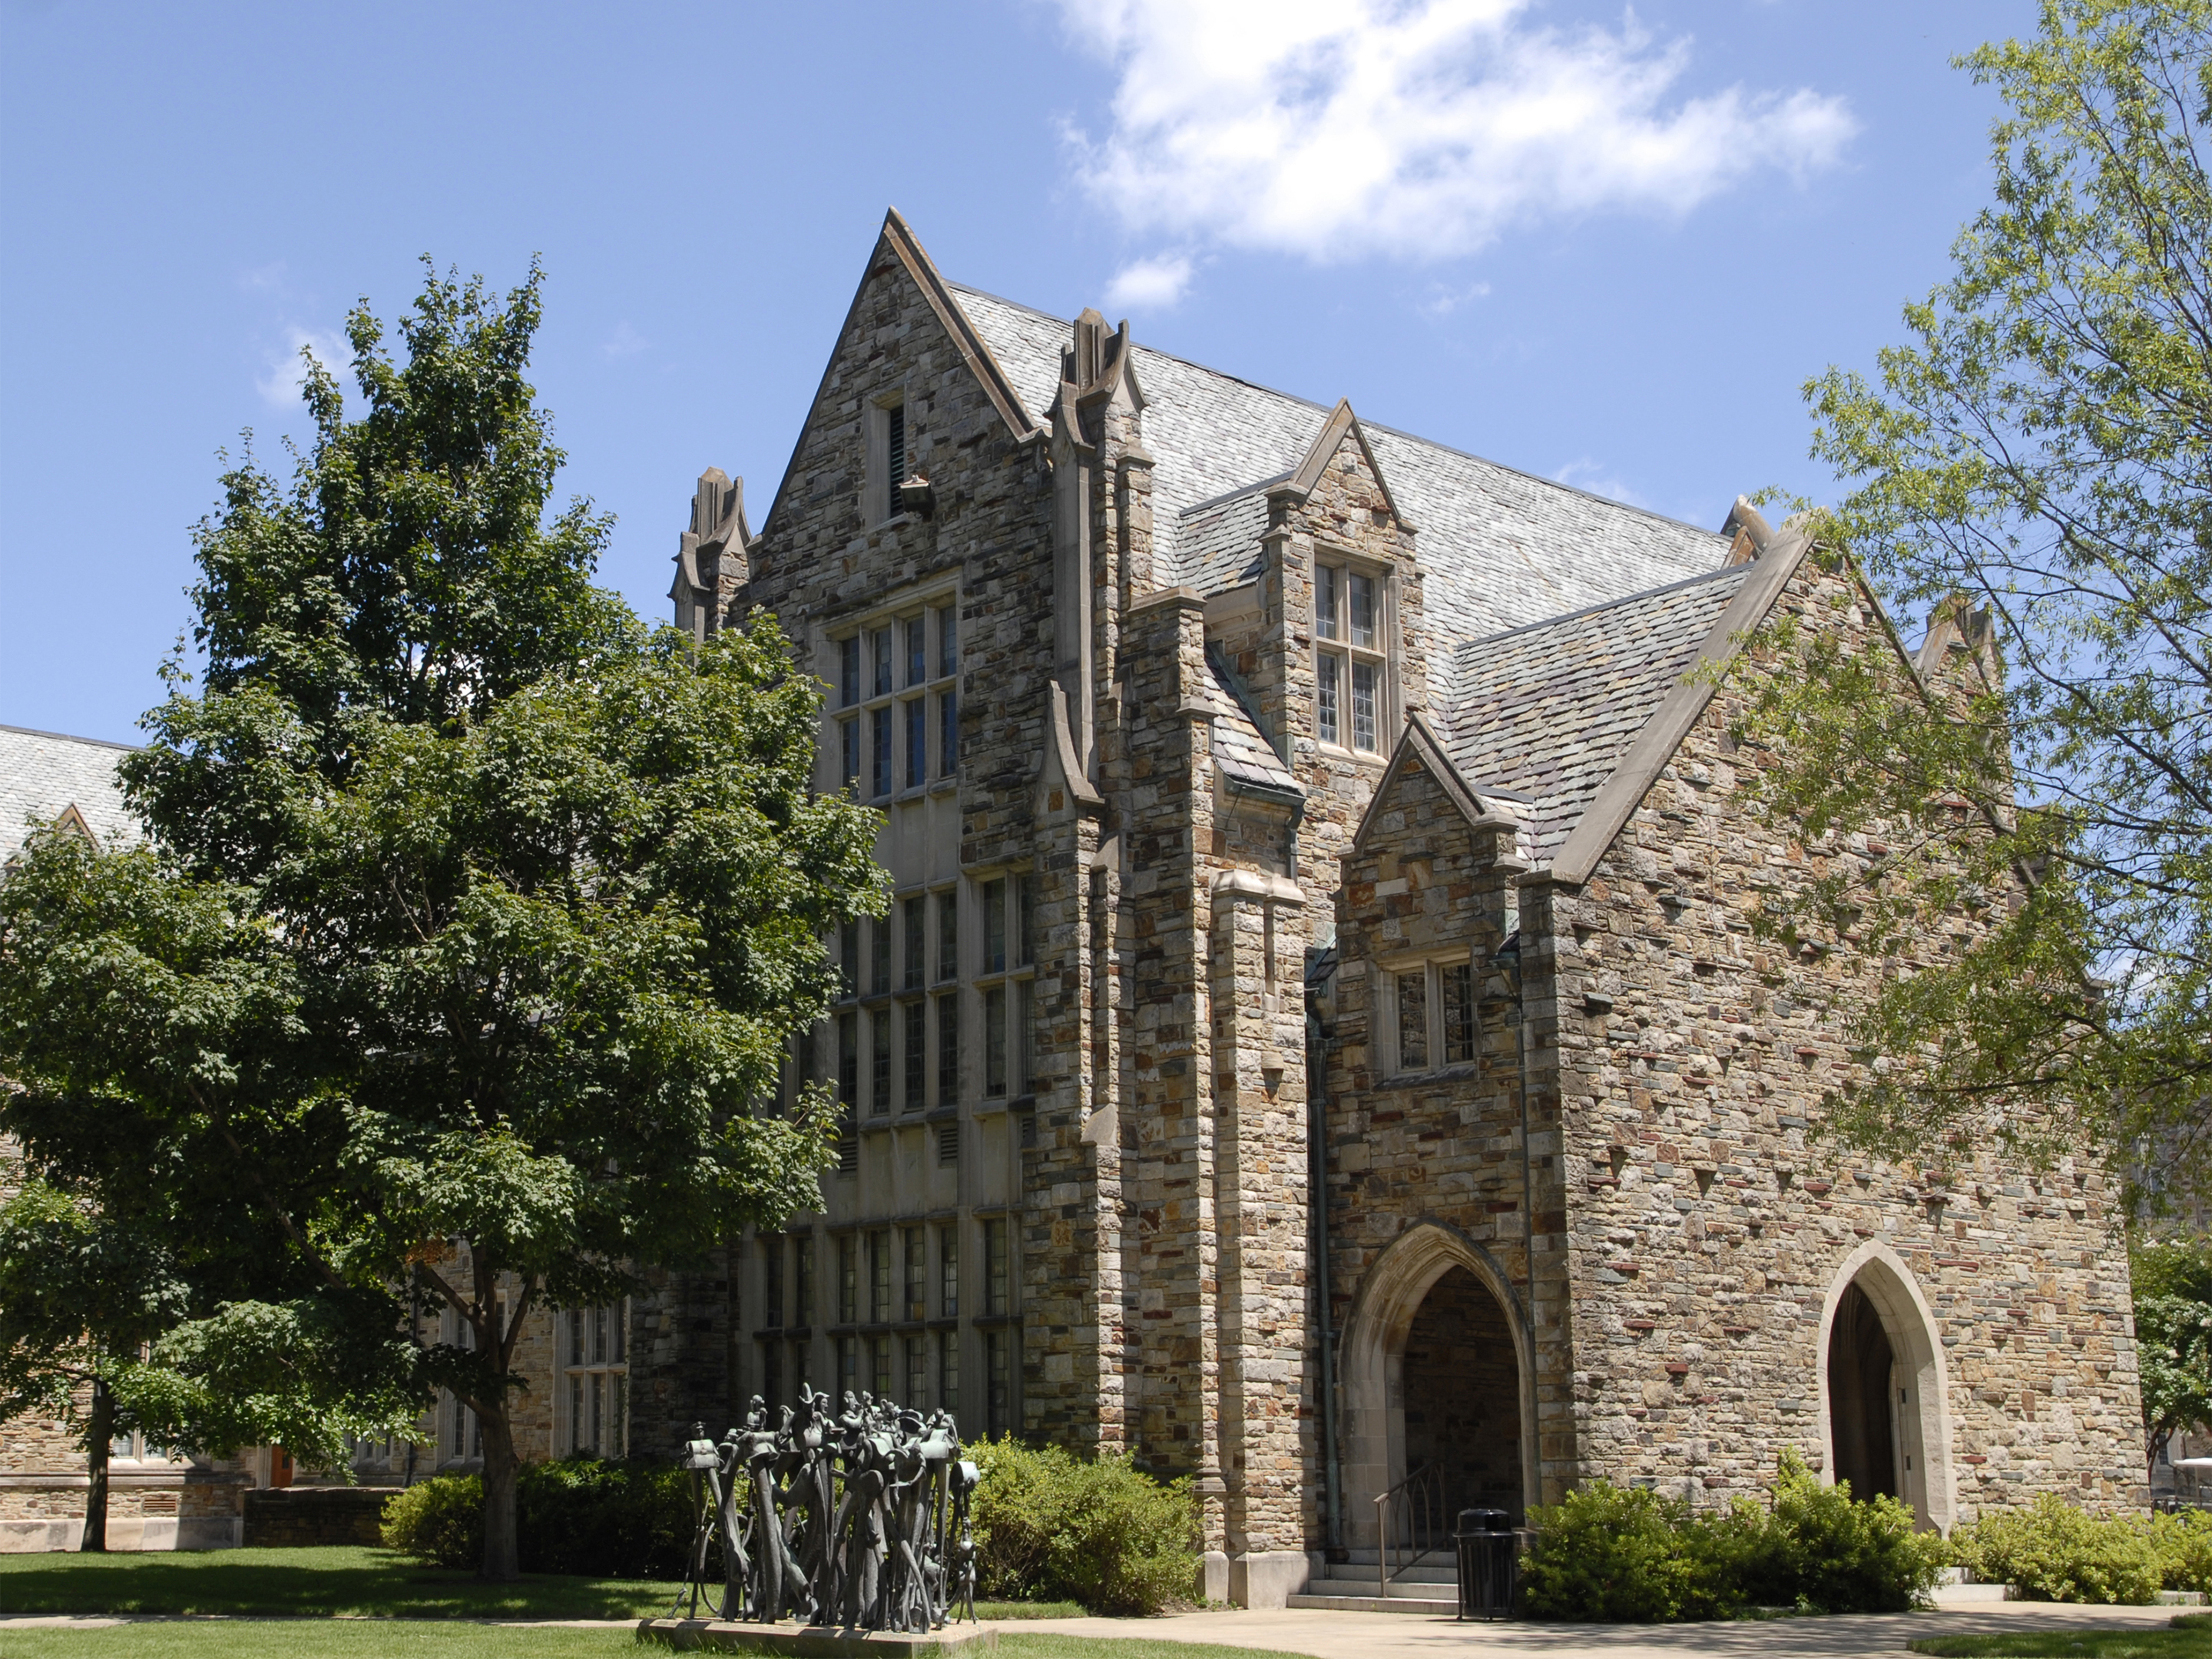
{"x":1463,"y":1397}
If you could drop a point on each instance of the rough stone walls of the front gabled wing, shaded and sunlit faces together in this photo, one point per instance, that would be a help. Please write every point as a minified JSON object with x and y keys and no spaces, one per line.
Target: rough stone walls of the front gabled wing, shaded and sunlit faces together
{"x":1689,"y":1227}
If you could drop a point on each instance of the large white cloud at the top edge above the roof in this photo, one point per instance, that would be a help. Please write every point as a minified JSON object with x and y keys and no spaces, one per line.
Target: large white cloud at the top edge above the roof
{"x":1417,"y":129}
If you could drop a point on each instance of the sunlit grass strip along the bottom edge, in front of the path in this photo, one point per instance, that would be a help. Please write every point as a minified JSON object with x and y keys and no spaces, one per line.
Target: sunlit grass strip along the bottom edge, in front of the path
{"x":432,"y":1640}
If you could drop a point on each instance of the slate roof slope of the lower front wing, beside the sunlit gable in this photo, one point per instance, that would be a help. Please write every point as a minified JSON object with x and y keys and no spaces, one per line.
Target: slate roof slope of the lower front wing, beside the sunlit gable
{"x":1547,"y":713}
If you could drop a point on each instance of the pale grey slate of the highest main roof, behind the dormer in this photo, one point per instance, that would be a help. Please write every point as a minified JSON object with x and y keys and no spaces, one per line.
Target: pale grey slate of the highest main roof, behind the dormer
{"x":1499,"y":547}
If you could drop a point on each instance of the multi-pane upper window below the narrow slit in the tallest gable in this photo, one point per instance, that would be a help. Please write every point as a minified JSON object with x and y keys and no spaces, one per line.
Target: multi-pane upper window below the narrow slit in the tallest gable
{"x":897,"y":702}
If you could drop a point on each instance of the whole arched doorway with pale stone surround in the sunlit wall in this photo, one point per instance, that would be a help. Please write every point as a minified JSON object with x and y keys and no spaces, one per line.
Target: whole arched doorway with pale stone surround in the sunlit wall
{"x":1886,"y":1408}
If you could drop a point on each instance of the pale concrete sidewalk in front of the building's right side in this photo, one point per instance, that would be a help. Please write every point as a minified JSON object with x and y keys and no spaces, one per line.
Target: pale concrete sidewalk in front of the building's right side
{"x":1399,"y":1636}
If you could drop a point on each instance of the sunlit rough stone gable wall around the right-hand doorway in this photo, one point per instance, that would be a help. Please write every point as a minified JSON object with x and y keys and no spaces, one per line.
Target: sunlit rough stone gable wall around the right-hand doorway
{"x":1709,"y":1220}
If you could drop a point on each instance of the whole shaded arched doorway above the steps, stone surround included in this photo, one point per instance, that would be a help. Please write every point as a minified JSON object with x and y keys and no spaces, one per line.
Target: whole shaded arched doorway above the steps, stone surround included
{"x":1437,"y":1364}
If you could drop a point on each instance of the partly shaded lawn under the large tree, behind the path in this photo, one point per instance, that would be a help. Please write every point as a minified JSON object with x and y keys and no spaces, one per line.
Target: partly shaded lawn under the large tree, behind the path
{"x":344,"y":1580}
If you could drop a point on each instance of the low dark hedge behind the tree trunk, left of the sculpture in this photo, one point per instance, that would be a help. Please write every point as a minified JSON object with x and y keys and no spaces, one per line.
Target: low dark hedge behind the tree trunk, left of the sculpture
{"x":581,"y":1516}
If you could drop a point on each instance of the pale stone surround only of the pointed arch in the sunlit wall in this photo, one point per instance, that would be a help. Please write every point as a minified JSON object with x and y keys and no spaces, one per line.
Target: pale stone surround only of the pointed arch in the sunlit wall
{"x":1923,"y":1417}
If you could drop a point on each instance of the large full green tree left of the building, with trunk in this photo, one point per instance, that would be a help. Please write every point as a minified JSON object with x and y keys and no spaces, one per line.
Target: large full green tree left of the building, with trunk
{"x":474,"y":910}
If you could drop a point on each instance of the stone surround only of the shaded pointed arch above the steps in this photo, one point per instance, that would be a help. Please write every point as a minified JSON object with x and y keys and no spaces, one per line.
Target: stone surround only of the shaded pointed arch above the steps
{"x":1373,"y":1364}
